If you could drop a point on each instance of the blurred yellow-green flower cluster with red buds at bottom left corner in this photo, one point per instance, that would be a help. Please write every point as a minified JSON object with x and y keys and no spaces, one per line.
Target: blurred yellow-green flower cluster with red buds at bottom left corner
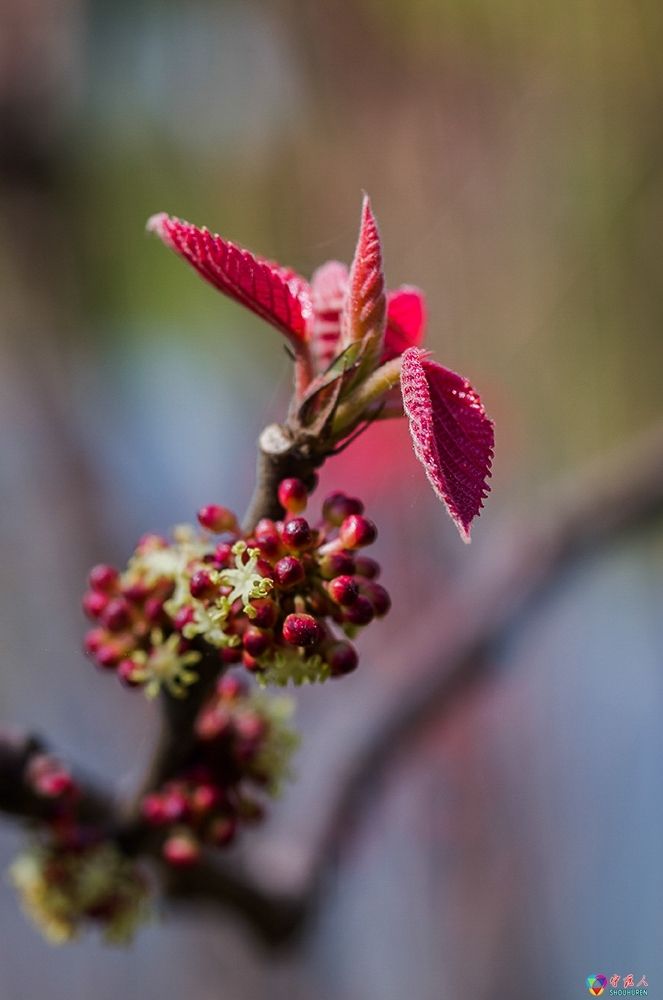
{"x":71,"y":876}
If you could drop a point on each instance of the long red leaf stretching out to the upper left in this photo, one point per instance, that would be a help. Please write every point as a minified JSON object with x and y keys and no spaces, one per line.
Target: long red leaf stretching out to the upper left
{"x":274,"y":293}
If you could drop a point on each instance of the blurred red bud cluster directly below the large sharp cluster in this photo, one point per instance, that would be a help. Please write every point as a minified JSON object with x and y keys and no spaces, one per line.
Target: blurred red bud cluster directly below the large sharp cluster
{"x":243,"y":746}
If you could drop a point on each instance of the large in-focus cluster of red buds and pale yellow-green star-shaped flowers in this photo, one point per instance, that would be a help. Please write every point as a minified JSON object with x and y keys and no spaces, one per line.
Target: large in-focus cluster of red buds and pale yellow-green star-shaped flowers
{"x":283,"y":601}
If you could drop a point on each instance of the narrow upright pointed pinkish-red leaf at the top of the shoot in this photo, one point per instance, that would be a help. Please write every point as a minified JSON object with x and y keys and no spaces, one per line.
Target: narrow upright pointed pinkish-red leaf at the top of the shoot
{"x":365,"y":309}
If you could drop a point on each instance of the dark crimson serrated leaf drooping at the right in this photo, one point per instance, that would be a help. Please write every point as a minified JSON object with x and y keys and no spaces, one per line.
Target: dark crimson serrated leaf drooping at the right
{"x":453,"y":438}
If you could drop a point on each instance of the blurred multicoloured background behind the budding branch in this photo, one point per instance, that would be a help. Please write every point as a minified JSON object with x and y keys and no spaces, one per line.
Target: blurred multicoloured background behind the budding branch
{"x":513,"y":153}
